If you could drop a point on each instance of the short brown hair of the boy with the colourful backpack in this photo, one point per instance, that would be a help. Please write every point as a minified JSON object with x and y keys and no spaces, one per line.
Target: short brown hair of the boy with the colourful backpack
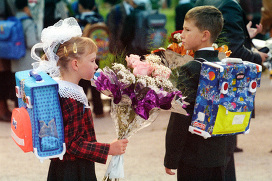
{"x":207,"y":18}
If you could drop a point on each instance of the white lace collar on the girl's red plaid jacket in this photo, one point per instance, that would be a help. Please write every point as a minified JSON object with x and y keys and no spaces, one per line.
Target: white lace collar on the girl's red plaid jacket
{"x":73,"y":91}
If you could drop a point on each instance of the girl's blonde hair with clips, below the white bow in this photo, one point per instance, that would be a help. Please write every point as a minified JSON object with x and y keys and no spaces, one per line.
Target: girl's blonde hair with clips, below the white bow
{"x":74,"y":49}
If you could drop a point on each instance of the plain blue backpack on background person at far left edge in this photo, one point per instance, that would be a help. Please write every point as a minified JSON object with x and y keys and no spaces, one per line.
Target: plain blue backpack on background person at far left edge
{"x":12,"y":40}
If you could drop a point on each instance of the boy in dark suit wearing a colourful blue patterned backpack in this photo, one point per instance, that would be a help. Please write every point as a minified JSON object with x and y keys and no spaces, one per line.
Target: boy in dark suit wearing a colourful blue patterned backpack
{"x":194,"y":157}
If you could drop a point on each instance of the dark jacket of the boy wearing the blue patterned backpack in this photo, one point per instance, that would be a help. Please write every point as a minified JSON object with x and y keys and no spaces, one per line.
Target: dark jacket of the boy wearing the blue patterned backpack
{"x":181,"y":145}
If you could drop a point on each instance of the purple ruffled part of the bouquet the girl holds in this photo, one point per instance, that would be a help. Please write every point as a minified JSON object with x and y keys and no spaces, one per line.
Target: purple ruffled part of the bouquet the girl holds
{"x":143,"y":99}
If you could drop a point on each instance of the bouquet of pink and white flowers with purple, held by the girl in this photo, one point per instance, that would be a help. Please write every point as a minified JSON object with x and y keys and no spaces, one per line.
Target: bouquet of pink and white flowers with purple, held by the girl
{"x":139,"y":91}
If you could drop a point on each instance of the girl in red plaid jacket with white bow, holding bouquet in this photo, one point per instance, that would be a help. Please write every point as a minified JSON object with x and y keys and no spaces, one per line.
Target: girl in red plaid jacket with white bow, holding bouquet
{"x":76,"y":60}
